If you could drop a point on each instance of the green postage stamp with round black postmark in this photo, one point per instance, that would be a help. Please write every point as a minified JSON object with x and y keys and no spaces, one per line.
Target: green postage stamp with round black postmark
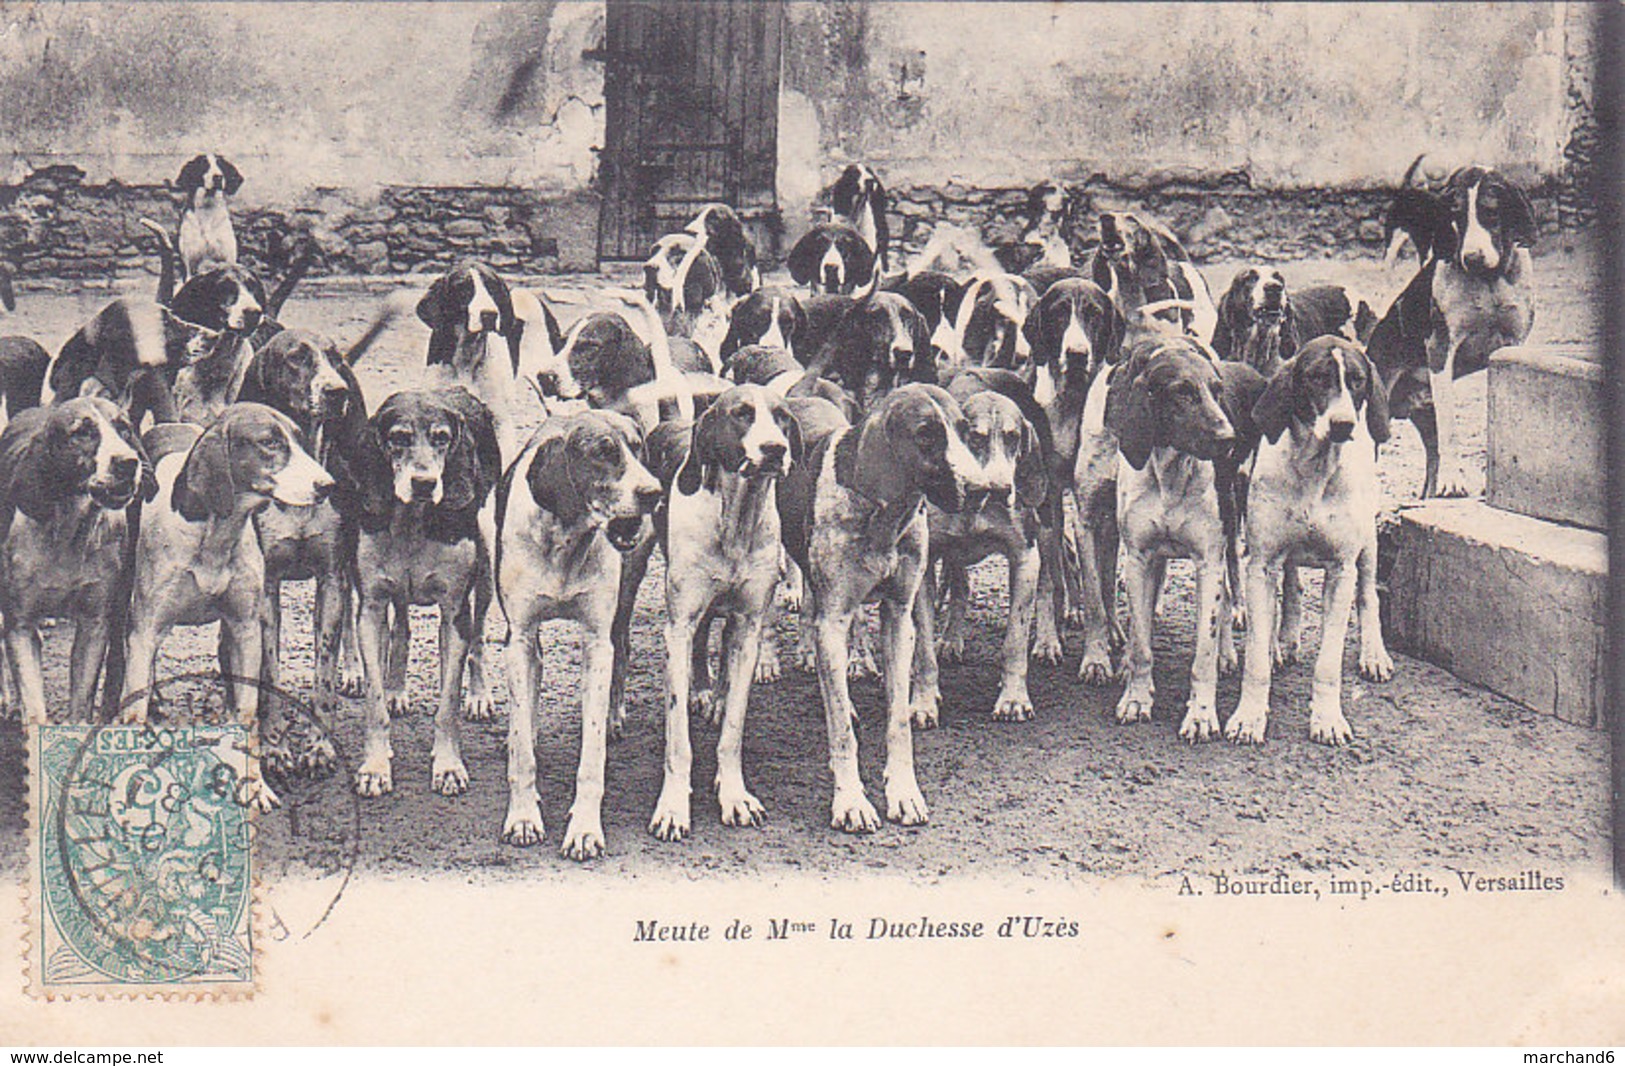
{"x":141,"y":862}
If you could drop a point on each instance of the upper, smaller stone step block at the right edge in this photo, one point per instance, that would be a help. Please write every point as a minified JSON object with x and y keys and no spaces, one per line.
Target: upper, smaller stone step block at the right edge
{"x":1548,"y":457}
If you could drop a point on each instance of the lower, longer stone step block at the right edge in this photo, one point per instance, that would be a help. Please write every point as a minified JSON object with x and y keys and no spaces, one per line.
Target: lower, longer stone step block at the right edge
{"x":1507,"y":602}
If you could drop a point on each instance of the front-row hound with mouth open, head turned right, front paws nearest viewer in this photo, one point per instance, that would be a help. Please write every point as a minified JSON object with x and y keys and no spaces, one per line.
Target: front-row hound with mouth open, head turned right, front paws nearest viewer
{"x":570,"y":509}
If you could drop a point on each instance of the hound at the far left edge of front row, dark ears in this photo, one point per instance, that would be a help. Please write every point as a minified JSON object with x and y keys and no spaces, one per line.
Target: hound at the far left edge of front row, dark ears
{"x":67,"y":477}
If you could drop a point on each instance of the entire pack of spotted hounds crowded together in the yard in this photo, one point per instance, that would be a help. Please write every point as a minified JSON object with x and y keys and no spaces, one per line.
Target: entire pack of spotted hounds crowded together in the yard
{"x":860,"y":435}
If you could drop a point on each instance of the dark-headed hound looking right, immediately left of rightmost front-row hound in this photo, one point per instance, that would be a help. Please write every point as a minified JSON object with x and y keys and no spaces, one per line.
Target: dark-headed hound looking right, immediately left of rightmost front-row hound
{"x":1184,"y":427}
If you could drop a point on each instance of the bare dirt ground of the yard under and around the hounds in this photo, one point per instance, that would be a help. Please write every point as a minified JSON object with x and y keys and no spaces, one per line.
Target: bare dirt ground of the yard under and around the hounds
{"x":1441,"y":773}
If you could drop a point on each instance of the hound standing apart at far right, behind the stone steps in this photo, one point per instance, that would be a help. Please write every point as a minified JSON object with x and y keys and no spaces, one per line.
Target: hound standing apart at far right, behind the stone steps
{"x":1473,"y":295}
